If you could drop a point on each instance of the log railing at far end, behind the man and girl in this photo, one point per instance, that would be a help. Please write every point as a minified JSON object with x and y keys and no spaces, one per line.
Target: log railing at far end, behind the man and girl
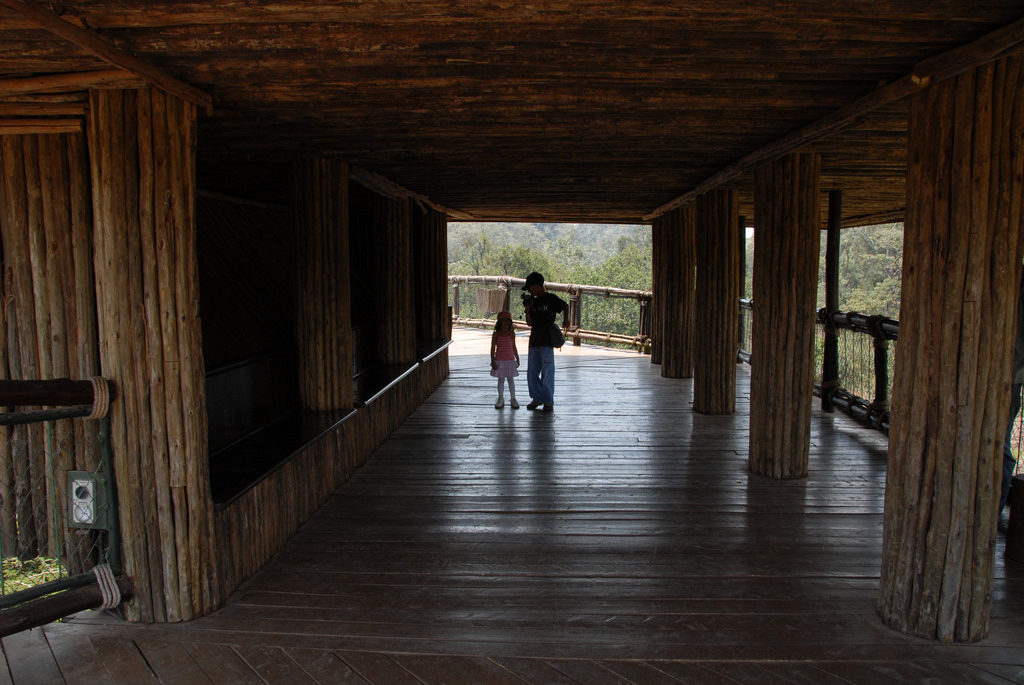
{"x":501,"y":293}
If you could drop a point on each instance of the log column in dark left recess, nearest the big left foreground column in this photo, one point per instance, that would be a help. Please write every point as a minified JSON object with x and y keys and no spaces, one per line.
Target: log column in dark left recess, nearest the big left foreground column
{"x":324,"y":329}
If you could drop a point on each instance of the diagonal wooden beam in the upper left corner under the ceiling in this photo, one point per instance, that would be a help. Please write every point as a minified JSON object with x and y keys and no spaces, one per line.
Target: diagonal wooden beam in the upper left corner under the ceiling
{"x":104,"y":51}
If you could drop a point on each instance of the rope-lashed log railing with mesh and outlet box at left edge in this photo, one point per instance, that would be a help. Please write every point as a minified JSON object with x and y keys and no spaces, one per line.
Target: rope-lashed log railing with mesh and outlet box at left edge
{"x":59,"y":520}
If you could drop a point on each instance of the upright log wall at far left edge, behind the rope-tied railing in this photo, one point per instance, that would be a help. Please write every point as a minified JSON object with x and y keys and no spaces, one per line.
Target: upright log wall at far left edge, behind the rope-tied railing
{"x":48,"y":330}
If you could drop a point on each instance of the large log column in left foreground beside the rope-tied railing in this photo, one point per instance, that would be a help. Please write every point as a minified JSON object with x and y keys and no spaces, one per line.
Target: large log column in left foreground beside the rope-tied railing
{"x":142,"y":149}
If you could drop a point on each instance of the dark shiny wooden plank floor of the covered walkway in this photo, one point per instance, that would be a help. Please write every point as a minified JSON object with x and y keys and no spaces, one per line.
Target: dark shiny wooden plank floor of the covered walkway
{"x":616,"y":540}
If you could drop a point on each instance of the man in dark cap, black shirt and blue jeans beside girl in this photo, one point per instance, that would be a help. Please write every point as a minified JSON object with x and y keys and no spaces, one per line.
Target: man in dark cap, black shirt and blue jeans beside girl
{"x":542,"y":308}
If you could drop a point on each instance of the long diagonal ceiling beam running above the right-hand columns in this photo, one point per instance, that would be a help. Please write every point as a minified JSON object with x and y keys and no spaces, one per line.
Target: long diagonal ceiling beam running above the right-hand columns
{"x":942,"y":67}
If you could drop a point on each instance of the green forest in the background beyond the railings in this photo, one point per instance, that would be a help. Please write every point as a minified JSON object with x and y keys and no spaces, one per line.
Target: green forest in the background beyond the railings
{"x":619,"y":256}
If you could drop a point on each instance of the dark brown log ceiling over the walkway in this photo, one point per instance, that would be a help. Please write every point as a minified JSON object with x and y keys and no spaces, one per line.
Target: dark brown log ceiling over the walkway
{"x":558,"y":110}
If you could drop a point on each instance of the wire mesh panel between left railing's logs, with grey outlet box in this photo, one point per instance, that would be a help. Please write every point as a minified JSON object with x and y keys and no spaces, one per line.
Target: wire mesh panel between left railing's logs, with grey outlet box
{"x":57,"y":504}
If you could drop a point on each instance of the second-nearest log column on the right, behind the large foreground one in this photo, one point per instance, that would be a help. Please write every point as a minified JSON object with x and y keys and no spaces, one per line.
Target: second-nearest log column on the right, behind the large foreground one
{"x":786,"y":271}
